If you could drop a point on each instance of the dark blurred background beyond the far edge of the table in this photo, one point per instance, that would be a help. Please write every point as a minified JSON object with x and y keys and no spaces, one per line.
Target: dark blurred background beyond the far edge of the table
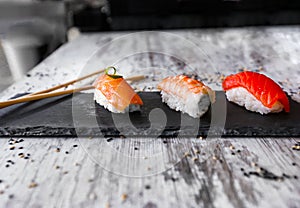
{"x":30,"y":30}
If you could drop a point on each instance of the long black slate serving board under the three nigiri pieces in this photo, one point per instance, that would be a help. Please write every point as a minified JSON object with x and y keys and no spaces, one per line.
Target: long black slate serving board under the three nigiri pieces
{"x":79,"y":115}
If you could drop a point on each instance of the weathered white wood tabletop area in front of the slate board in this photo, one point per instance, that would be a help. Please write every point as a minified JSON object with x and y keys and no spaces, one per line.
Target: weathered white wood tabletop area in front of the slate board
{"x":214,"y":180}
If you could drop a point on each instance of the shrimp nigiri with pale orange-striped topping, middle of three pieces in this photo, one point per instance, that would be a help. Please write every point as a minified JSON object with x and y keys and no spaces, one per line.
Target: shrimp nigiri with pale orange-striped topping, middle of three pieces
{"x":185,"y":94}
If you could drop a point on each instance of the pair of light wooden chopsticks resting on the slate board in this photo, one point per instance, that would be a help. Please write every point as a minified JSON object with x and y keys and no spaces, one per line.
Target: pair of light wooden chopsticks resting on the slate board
{"x":48,"y":92}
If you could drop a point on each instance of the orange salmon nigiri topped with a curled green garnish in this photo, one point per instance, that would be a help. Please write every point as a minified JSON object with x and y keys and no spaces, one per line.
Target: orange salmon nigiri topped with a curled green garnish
{"x":115,"y":94}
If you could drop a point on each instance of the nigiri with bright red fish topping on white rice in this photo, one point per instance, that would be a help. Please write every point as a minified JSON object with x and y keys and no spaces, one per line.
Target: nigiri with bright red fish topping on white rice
{"x":256,"y":92}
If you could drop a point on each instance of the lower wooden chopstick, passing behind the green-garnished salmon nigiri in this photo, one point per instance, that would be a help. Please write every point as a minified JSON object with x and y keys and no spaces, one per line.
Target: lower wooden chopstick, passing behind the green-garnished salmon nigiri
{"x":54,"y":94}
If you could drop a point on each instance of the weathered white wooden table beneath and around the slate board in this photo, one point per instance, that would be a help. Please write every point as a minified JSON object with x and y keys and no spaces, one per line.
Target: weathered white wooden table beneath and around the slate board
{"x":232,"y":172}
